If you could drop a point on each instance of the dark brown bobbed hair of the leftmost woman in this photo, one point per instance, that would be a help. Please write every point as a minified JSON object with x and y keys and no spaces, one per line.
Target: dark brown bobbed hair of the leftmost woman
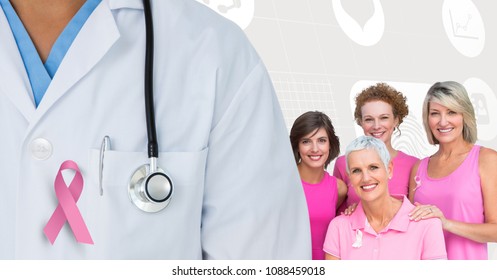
{"x":309,"y":122}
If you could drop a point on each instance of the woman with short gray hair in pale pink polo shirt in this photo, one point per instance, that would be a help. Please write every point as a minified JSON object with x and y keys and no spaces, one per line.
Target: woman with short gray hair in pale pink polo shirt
{"x":380,"y":225}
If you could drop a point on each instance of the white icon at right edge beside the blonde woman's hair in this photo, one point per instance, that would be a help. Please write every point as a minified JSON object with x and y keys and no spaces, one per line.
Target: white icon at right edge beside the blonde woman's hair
{"x":483,"y":99}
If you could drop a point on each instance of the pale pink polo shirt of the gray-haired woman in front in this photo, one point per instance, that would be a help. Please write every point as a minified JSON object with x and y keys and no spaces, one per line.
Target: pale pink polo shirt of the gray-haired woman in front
{"x":352,"y":238}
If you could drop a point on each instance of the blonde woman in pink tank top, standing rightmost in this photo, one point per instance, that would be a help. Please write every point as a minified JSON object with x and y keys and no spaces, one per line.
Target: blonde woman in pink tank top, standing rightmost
{"x":457,"y":184}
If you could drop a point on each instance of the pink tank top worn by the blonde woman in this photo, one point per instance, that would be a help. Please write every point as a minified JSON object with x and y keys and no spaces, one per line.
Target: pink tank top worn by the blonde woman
{"x":459,"y":197}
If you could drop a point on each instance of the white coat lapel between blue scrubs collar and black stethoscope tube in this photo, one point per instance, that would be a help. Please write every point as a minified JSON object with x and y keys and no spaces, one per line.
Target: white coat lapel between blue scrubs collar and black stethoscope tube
{"x":94,"y":40}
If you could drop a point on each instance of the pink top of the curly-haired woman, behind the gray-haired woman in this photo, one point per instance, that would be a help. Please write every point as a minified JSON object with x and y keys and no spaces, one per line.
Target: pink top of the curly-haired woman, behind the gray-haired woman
{"x":397,"y":185}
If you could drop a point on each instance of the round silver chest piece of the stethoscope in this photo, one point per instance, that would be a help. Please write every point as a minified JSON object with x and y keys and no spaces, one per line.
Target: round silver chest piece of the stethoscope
{"x":150,"y":191}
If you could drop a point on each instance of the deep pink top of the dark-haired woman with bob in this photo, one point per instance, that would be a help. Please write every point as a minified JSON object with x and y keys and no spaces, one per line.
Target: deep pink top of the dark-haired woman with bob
{"x":321,"y":202}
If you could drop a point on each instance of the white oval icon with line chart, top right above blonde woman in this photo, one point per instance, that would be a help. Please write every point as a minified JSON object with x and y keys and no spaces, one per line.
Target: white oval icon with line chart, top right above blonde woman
{"x":464,"y":26}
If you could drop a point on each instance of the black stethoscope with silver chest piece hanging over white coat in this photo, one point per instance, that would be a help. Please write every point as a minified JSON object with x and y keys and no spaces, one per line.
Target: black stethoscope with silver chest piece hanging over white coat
{"x":150,"y":189}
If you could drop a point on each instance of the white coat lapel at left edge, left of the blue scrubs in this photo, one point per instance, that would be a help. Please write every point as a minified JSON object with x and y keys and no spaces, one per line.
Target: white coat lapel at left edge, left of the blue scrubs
{"x":14,"y":82}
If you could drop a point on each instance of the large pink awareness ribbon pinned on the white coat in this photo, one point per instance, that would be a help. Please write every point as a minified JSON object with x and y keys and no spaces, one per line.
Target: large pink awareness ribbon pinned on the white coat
{"x":66,"y":209}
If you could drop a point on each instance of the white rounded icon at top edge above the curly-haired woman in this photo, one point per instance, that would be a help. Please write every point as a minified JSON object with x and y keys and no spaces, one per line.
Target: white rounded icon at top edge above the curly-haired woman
{"x":370,"y":32}
